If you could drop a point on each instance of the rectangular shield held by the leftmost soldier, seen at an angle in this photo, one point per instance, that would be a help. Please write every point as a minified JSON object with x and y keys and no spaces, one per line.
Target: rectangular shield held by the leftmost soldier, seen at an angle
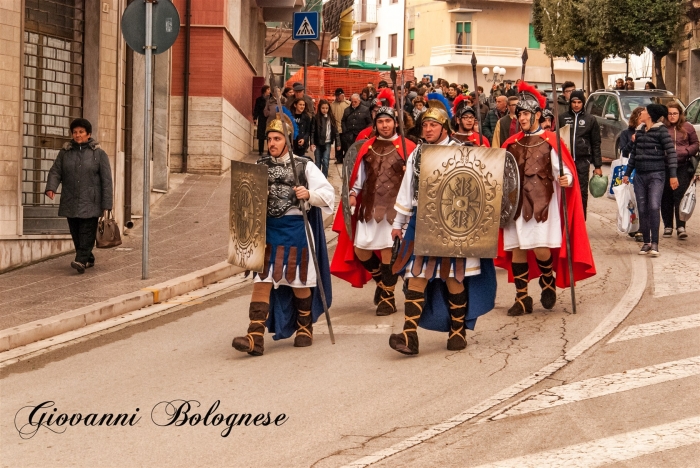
{"x":247,"y":216}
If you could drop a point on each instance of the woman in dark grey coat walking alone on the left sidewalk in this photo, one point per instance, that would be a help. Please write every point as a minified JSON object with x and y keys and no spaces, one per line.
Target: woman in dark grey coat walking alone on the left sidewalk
{"x":82,"y":167}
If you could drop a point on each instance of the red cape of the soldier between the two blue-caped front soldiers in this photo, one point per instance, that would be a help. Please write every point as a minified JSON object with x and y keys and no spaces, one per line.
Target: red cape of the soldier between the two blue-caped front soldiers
{"x":345,"y":264}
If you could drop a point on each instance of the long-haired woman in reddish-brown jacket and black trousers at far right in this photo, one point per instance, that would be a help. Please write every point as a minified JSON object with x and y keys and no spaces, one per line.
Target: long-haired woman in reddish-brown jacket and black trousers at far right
{"x":685,"y":139}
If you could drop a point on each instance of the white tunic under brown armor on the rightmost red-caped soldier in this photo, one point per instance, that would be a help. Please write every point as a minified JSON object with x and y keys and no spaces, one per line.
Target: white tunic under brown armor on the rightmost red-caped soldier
{"x":531,"y":234}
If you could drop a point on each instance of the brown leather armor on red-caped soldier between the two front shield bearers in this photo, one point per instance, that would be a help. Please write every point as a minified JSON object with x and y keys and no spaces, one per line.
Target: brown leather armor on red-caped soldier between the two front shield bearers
{"x":384,"y":168}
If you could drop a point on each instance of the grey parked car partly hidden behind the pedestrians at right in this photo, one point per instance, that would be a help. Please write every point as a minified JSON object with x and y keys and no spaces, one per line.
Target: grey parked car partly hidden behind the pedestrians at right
{"x":612,"y":110}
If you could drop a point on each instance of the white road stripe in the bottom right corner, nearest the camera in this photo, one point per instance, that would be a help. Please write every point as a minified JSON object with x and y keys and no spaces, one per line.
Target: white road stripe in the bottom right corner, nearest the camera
{"x":613,"y":449}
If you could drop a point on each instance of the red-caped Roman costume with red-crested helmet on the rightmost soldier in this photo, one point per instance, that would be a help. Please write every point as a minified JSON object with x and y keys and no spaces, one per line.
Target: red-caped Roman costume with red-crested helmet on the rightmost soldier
{"x":538,"y":220}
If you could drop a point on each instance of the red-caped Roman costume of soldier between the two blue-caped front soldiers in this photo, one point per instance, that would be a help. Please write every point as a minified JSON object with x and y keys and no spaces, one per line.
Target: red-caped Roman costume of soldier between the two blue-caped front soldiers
{"x":375,"y":182}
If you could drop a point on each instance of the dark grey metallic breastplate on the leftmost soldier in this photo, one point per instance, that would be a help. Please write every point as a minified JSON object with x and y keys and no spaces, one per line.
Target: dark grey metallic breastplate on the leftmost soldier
{"x":280,"y":184}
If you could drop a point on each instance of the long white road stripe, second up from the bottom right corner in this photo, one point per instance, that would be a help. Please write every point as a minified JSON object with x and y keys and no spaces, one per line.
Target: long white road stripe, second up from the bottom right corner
{"x":600,"y":386}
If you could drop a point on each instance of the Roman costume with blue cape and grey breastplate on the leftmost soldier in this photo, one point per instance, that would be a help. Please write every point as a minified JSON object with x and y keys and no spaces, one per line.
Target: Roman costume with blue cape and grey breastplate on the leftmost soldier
{"x":288,"y":263}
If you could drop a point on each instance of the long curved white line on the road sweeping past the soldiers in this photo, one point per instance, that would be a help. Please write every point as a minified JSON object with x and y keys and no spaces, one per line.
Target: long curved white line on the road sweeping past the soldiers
{"x":629,"y":300}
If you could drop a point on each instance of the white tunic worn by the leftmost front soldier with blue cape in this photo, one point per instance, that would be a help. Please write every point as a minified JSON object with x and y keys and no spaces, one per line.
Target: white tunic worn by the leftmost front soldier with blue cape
{"x":322,"y":195}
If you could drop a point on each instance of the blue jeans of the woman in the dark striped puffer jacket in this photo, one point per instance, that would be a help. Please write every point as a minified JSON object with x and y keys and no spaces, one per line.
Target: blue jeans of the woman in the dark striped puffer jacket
{"x":648,"y":189}
